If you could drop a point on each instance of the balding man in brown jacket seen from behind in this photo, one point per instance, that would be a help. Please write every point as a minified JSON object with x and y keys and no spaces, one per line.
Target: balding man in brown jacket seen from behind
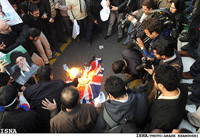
{"x":74,"y":117}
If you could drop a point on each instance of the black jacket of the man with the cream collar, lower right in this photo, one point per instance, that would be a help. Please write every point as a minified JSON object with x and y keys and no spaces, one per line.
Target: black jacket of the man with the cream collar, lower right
{"x":167,"y":114}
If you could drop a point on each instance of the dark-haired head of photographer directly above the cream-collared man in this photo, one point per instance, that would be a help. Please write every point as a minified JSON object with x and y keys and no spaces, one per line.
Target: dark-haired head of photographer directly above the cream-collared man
{"x":163,"y":48}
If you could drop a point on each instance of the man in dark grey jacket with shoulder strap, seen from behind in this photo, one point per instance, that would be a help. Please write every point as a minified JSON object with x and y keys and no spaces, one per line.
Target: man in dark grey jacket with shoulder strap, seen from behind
{"x":122,"y":104}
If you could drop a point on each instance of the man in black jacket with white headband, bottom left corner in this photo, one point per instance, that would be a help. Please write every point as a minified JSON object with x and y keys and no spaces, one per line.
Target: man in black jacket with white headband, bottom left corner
{"x":14,"y":116}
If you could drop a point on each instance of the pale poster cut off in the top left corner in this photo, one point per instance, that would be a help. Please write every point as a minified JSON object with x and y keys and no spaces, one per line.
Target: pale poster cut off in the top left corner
{"x":8,"y":14}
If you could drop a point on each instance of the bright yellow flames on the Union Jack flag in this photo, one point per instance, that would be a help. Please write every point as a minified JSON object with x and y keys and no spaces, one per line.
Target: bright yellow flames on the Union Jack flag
{"x":85,"y":78}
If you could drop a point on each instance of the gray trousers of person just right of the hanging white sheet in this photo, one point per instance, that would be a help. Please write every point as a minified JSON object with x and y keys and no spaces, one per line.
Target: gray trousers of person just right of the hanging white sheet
{"x":113,"y":16}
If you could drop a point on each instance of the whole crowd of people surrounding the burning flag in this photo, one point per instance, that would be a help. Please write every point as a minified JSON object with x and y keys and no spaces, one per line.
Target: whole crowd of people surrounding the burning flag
{"x":157,"y":105}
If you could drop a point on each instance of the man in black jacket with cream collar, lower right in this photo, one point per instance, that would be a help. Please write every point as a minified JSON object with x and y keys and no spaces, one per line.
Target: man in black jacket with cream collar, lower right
{"x":167,"y":110}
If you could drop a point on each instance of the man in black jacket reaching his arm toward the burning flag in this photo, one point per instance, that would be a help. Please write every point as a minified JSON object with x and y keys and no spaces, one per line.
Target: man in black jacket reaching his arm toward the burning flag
{"x":46,"y":88}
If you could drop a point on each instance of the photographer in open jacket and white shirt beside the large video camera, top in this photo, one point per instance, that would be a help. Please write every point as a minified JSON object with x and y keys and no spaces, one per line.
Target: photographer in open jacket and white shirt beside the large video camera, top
{"x":140,"y":14}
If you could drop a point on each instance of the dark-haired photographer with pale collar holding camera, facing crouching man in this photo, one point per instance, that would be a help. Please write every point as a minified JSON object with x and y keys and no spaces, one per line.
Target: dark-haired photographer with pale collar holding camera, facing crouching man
{"x":164,"y":53}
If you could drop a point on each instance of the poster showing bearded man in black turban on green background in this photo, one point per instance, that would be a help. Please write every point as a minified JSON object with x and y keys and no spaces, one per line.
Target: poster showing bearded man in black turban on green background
{"x":20,"y":65}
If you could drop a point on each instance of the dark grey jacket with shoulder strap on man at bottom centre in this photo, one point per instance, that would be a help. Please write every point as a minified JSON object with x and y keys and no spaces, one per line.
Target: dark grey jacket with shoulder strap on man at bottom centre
{"x":119,"y":111}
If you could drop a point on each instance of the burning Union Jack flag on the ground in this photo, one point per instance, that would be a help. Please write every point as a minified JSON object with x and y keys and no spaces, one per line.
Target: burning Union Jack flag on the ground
{"x":90,"y":81}
